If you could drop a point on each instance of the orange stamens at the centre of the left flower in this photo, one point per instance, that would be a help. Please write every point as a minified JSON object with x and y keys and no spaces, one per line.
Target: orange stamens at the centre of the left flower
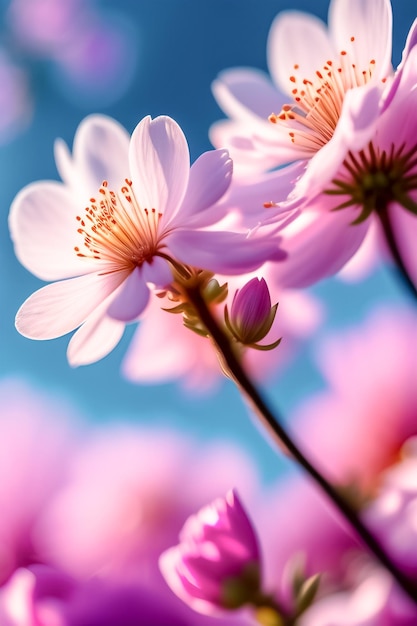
{"x":117,"y":230}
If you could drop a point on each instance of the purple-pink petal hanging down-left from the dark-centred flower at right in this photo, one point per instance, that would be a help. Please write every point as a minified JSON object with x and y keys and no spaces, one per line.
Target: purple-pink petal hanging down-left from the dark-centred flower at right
{"x":320,"y":247}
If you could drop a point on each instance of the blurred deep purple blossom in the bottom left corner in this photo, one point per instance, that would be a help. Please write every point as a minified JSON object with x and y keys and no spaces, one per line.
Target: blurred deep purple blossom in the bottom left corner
{"x":43,"y":596}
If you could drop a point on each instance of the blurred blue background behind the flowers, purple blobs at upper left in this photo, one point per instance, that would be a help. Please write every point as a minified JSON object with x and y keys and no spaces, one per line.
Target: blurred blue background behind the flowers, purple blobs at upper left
{"x":63,"y":59}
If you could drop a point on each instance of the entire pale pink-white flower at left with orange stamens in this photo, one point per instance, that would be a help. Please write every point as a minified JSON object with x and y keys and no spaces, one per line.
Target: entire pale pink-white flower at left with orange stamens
{"x":106,"y":257}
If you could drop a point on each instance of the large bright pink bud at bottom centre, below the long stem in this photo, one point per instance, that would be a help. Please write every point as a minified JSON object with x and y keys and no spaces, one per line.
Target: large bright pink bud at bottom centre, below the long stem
{"x":216,"y":565}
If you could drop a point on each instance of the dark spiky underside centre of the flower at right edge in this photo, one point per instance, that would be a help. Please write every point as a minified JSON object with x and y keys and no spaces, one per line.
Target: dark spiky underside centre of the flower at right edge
{"x":374,"y":178}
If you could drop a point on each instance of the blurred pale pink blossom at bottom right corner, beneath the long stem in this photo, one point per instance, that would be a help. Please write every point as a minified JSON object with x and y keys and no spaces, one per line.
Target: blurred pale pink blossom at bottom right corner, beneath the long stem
{"x":376,"y":601}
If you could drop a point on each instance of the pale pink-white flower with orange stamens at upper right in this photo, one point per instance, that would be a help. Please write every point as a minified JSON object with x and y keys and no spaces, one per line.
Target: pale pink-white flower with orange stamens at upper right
{"x":326,"y":76}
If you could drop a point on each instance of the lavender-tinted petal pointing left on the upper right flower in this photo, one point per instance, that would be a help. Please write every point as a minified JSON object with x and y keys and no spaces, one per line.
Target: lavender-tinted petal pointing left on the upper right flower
{"x":244,"y":93}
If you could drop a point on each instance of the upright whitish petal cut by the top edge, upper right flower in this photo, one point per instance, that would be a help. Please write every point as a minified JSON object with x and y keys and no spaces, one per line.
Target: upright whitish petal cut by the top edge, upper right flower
{"x":370,"y":23}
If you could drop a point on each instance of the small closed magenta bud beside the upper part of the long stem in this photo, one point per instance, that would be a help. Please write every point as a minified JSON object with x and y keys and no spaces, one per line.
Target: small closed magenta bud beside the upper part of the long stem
{"x":251,"y":315}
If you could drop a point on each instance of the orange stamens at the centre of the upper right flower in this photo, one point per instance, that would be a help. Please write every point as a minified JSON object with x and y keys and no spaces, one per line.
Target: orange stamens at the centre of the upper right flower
{"x":312,"y":119}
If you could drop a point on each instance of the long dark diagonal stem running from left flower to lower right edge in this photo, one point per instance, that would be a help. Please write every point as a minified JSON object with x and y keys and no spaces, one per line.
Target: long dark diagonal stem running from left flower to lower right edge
{"x":284,"y":440}
